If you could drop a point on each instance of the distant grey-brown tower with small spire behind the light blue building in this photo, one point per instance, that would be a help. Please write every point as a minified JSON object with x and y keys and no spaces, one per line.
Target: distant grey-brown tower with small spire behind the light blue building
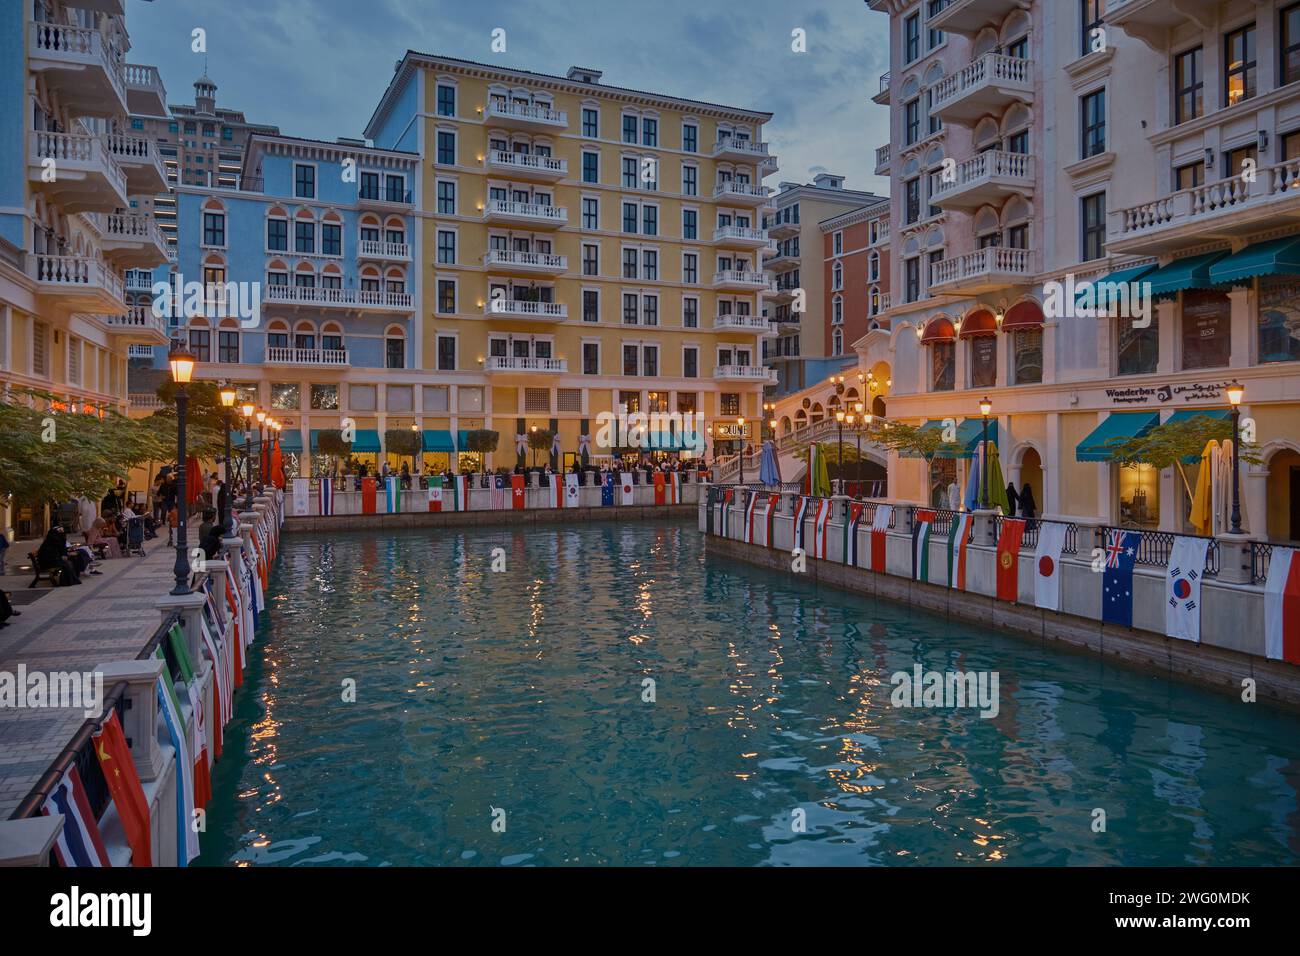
{"x":201,"y":144}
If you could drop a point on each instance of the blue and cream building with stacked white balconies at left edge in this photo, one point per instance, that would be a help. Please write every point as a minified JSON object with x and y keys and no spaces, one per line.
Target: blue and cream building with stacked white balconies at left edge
{"x":71,"y":178}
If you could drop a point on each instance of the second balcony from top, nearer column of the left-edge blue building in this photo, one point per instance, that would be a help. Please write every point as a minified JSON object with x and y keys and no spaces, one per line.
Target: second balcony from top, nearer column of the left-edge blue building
{"x":77,"y":171}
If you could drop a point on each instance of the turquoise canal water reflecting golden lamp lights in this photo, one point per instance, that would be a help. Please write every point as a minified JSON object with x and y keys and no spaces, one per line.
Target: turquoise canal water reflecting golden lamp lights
{"x":523,"y":693}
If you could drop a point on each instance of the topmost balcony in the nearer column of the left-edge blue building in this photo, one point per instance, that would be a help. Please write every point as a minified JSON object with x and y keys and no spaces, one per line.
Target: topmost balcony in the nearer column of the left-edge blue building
{"x":81,"y":68}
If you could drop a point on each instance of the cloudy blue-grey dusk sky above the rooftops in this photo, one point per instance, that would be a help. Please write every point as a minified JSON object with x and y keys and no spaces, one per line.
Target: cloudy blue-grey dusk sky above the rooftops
{"x":319,"y":68}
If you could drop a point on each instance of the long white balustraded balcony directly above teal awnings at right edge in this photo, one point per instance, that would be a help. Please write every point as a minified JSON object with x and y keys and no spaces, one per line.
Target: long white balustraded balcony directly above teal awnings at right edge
{"x":1224,"y":210}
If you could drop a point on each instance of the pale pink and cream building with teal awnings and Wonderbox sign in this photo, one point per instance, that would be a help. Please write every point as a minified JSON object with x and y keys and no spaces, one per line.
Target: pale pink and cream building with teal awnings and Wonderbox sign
{"x":1136,"y":141}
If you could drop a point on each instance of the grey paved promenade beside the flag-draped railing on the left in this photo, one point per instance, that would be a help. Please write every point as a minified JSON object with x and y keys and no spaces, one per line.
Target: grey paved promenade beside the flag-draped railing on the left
{"x":109,"y":617}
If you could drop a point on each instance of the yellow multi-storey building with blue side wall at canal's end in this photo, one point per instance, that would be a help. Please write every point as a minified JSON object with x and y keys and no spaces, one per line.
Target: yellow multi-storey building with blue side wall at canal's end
{"x":590,"y":249}
